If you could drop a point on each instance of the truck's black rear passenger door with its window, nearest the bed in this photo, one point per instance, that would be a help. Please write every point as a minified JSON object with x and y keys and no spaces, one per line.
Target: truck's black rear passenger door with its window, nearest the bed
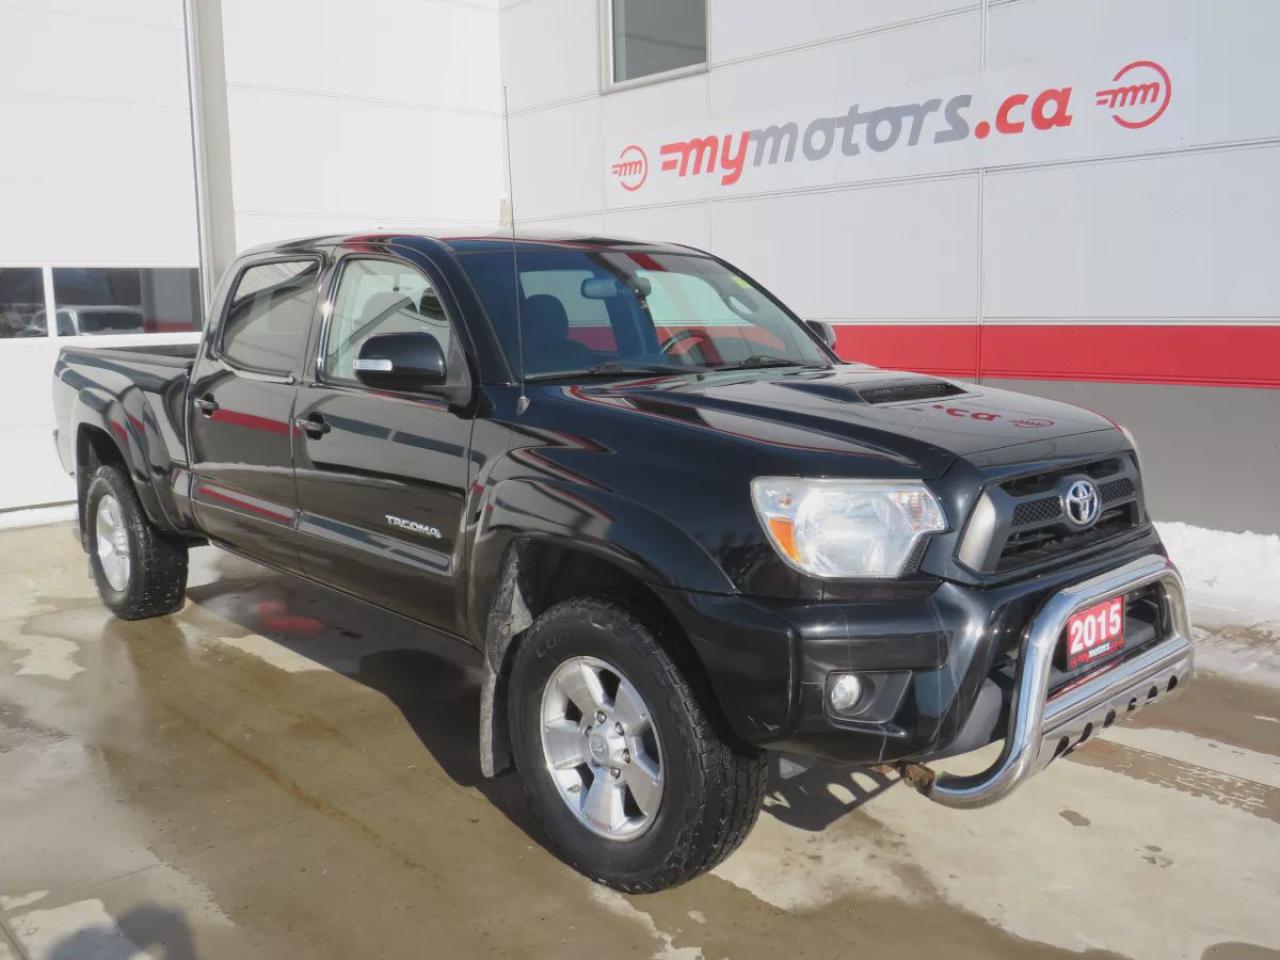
{"x":243,"y":394}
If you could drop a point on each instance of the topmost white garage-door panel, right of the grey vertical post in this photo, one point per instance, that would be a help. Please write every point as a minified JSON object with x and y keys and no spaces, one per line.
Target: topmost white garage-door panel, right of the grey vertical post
{"x":422,"y":52}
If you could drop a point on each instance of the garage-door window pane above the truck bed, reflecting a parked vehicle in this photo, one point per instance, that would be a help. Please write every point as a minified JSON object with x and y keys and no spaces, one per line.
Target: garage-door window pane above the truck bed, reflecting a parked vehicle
{"x":126,"y":300}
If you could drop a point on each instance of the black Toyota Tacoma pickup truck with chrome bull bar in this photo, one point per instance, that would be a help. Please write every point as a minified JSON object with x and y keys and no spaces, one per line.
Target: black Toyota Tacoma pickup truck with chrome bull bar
{"x":680,"y":531}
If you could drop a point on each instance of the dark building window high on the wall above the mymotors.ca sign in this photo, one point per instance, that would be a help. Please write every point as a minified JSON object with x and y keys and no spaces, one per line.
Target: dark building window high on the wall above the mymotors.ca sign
{"x":652,"y":38}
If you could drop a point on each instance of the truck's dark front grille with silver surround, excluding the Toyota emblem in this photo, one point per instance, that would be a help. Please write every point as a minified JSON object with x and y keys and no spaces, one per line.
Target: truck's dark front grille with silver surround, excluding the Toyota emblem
{"x":1021,"y":523}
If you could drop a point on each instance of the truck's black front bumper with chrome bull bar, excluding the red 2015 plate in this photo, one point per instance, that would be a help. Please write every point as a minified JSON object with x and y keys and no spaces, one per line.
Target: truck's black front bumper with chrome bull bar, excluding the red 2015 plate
{"x":950,"y":671}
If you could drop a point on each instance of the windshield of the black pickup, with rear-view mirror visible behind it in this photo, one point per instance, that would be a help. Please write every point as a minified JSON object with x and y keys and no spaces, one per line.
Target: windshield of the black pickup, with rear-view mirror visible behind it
{"x":610,"y":312}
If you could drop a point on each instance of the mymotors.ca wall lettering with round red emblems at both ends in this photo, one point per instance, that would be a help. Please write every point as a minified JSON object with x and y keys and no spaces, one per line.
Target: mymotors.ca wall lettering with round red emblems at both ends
{"x":1137,"y":97}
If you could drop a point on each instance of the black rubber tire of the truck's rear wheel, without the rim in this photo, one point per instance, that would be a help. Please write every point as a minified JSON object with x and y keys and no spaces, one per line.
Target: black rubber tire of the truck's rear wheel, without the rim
{"x":158,"y":563}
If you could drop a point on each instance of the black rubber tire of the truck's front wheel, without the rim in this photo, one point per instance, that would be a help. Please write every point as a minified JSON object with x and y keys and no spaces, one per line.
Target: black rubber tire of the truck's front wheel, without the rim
{"x":714,"y":789}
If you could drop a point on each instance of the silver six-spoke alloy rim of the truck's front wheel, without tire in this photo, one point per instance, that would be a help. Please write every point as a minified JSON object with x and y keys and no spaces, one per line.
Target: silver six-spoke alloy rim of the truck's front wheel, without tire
{"x":601,"y":748}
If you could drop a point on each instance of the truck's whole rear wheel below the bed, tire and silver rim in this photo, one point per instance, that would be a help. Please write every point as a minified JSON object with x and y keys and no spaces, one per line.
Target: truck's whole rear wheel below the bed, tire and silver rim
{"x":140,"y":572}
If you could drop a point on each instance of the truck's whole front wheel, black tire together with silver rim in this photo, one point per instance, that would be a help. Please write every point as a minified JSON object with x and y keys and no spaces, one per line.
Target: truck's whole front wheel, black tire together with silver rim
{"x":618,"y":756}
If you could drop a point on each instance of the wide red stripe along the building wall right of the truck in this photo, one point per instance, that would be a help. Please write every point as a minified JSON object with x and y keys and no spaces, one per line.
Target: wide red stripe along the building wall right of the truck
{"x":1206,"y":356}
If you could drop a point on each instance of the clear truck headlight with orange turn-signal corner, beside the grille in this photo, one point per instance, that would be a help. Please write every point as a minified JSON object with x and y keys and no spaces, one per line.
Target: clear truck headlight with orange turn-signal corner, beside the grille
{"x":847,"y":528}
